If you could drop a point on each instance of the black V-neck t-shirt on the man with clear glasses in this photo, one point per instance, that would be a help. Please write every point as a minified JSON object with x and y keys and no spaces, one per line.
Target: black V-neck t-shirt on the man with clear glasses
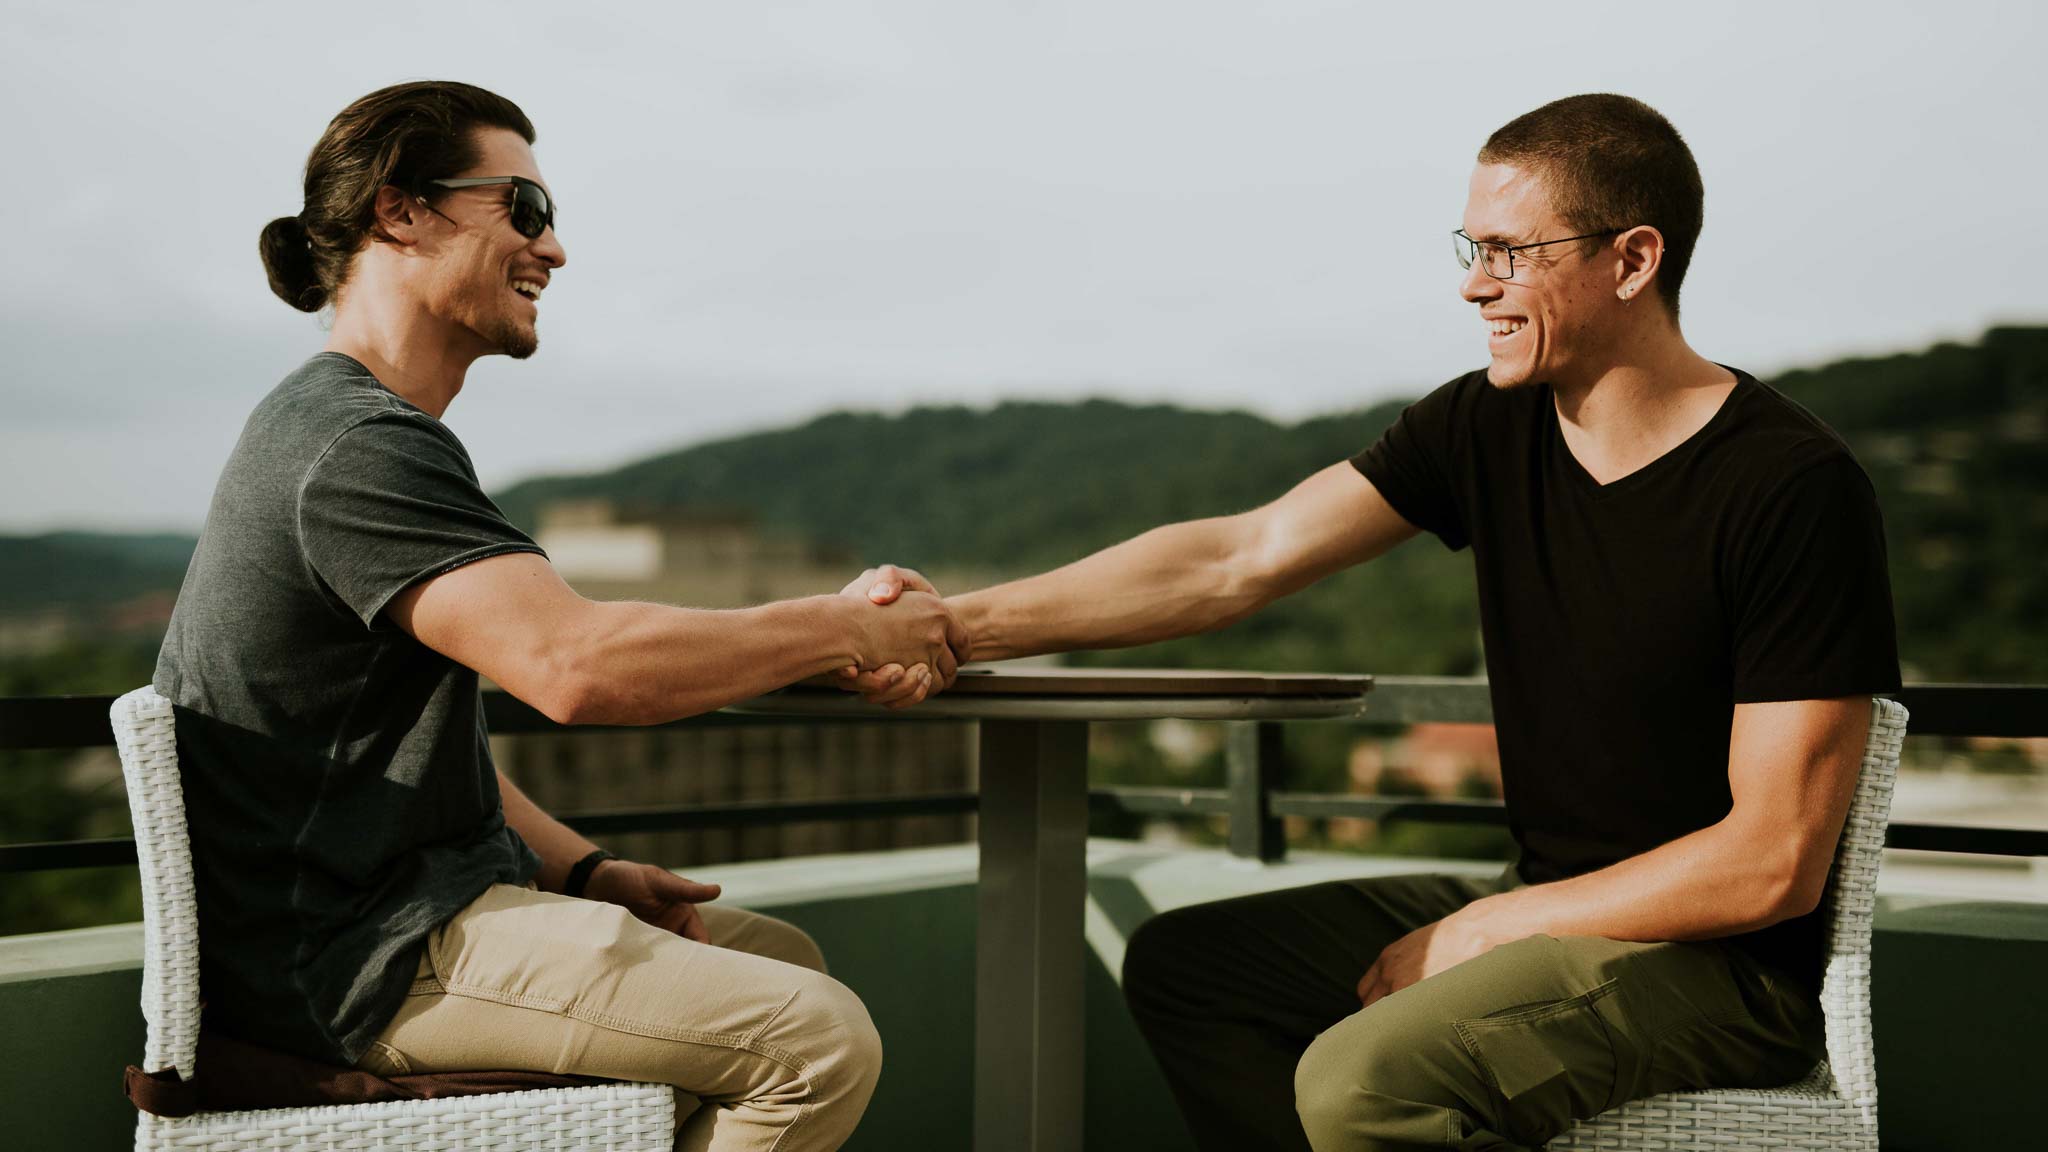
{"x":1625,"y":622}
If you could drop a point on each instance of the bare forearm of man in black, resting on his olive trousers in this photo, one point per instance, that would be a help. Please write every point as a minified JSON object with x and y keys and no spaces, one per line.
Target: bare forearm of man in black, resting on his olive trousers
{"x":1715,"y":882}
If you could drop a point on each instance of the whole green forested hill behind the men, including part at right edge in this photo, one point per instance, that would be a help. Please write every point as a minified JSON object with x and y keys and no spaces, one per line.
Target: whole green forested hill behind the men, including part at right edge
{"x":1955,"y":438}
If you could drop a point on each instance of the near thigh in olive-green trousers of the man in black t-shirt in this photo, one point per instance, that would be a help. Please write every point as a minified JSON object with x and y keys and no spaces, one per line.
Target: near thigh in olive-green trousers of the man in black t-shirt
{"x":1541,"y":1032}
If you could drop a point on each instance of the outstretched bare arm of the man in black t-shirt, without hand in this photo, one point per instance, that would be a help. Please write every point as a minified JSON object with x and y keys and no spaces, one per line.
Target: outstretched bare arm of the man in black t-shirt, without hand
{"x":1189,"y":577}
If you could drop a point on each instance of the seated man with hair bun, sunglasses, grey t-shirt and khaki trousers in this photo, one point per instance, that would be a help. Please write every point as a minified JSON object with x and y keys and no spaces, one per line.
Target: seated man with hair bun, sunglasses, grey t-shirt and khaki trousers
{"x":372,"y":891}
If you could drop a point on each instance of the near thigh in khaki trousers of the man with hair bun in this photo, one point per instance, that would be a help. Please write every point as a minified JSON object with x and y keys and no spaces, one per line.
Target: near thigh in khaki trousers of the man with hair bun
{"x":546,"y":983}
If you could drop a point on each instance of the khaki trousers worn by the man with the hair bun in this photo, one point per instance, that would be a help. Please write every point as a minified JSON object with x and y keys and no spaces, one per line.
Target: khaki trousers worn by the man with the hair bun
{"x":779,"y":1055}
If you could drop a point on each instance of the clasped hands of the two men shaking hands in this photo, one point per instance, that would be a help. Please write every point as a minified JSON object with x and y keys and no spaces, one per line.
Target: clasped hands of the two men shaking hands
{"x":908,"y":641}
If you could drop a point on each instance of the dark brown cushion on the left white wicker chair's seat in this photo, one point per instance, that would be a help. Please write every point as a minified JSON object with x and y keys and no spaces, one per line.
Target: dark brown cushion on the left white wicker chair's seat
{"x":243,"y":1077}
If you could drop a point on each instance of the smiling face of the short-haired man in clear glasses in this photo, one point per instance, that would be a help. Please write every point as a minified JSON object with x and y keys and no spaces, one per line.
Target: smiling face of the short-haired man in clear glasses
{"x":1560,"y":317}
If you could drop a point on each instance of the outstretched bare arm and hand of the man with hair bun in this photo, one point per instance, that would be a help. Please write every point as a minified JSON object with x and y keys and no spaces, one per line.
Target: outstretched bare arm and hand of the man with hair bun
{"x":581,"y":661}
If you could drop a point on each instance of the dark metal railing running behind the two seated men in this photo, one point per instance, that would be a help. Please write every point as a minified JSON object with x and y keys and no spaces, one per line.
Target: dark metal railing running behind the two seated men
{"x":1252,"y":800}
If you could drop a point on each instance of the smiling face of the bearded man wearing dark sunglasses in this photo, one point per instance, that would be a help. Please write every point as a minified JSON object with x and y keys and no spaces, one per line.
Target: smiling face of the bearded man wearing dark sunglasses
{"x":486,"y":278}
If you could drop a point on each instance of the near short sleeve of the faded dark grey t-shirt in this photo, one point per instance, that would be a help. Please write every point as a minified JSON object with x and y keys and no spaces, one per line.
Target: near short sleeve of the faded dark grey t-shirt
{"x":396,"y":501}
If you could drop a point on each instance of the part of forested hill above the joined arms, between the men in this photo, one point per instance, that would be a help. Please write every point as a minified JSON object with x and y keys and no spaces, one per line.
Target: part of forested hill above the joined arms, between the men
{"x":1017,"y":485}
